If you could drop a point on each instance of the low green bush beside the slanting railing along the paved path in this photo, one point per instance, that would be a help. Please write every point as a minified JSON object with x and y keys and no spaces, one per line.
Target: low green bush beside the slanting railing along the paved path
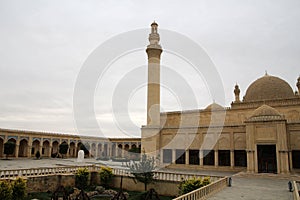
{"x":189,"y":185}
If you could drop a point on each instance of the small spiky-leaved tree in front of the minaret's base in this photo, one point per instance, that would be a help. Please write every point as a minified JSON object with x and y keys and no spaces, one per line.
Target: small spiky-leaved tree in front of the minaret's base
{"x":143,"y":171}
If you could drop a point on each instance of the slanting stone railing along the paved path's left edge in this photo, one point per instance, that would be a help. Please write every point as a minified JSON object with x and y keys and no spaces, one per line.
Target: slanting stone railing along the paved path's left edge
{"x":204,"y":192}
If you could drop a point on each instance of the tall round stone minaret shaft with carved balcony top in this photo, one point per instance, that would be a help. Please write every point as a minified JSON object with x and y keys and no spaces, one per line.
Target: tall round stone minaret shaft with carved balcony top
{"x":154,"y":51}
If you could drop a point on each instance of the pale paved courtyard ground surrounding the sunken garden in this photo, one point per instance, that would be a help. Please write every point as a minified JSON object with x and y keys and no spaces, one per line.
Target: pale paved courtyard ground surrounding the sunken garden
{"x":244,"y":186}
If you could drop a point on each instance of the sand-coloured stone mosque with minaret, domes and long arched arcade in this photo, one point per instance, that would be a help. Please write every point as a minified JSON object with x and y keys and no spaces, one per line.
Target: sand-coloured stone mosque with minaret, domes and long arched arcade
{"x":259,"y":133}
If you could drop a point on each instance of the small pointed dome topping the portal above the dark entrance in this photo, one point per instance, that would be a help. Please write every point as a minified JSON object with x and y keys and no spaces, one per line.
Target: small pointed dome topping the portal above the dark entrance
{"x":264,"y":113}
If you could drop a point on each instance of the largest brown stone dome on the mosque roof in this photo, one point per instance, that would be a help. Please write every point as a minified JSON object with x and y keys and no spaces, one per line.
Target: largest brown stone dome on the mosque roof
{"x":268,"y":87}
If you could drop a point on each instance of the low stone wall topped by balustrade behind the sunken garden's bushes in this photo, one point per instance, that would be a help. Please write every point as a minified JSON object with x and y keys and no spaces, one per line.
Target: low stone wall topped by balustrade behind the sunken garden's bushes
{"x":47,"y":179}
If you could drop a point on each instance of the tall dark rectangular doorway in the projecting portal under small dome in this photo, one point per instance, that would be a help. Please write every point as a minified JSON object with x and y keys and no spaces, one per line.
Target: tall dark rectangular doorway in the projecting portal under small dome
{"x":266,"y":156}
